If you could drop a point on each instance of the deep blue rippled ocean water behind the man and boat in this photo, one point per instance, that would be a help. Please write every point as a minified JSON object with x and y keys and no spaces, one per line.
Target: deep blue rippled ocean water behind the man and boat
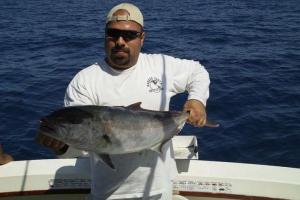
{"x":250,"y":48}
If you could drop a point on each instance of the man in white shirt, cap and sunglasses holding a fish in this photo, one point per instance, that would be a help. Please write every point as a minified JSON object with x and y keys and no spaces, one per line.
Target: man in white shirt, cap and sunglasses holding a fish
{"x":124,"y":77}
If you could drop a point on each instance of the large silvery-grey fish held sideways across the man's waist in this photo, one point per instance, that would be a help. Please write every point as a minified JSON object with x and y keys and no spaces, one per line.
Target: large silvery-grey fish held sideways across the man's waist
{"x":109,"y":130}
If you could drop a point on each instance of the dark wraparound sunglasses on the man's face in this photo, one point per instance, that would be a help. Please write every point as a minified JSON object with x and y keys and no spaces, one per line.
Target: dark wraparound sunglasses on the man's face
{"x":127,"y":35}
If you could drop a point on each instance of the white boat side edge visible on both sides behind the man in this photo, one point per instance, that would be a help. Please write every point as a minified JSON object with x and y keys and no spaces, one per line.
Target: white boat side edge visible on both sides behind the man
{"x":69,"y":179}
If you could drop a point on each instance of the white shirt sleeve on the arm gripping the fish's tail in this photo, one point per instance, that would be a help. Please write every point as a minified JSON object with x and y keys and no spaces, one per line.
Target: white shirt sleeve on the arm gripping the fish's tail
{"x":190,"y":76}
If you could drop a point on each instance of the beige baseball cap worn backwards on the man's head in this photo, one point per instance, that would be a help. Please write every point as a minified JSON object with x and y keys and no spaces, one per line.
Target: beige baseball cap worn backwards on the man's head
{"x":134,"y":14}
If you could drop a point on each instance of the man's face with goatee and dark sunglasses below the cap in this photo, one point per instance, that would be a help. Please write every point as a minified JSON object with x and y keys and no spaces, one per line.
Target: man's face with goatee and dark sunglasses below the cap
{"x":123,"y":42}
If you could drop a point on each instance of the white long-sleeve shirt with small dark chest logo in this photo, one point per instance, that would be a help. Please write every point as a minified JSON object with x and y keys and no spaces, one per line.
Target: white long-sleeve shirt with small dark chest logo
{"x":153,"y":81}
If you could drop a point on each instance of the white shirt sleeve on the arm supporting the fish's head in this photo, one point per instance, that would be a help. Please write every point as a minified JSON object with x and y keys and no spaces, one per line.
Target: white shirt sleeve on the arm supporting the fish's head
{"x":77,"y":93}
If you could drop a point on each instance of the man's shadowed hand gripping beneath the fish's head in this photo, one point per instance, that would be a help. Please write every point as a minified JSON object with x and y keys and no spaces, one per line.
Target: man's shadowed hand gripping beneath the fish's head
{"x":57,"y":146}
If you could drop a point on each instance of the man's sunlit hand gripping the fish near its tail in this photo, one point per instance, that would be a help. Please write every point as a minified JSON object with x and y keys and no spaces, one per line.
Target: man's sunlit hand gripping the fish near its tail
{"x":197,"y":112}
